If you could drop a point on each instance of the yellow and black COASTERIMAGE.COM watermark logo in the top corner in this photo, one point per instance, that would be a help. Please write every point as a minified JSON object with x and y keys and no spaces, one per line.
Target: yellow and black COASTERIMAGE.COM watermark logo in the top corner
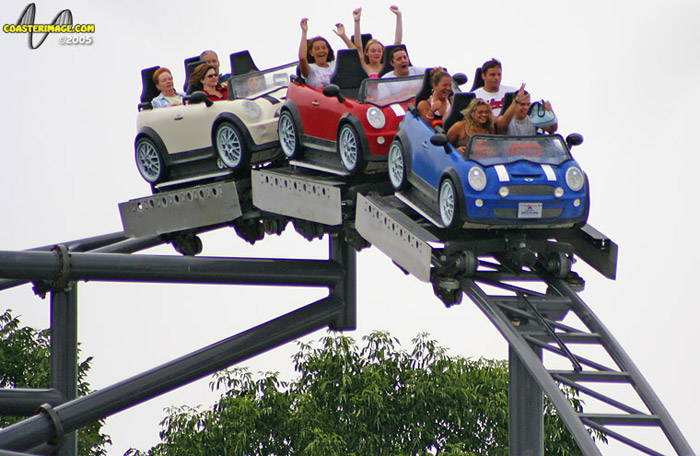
{"x":62,"y":23}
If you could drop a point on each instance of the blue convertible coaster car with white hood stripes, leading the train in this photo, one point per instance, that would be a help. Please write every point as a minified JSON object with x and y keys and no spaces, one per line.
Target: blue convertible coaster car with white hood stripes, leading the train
{"x":498,"y":182}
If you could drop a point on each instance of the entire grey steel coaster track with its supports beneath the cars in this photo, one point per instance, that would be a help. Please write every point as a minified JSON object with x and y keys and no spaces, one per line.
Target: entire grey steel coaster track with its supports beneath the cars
{"x":521,"y":280}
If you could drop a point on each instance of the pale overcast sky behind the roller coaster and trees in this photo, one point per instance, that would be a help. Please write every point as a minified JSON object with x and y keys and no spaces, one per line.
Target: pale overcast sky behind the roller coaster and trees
{"x":623,"y":74}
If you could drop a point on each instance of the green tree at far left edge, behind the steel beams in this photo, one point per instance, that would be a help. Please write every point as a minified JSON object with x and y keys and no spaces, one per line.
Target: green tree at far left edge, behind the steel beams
{"x":24,"y":363}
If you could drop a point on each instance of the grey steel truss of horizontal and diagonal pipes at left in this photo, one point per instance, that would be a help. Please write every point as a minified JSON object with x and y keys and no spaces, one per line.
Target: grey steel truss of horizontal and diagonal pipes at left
{"x":59,"y":269}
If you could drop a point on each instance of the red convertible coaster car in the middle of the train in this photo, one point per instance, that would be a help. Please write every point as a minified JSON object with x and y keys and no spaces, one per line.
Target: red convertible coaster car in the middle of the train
{"x":347,"y":126}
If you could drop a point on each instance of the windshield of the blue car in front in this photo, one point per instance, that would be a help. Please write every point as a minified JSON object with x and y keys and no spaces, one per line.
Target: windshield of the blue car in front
{"x":490,"y":150}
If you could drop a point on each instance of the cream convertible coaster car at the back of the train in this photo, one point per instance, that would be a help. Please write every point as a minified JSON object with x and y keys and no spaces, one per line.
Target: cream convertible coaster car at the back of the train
{"x":202,"y":139}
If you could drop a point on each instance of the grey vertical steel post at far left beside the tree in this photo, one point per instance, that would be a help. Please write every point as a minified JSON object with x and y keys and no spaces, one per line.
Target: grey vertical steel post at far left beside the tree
{"x":64,"y":355}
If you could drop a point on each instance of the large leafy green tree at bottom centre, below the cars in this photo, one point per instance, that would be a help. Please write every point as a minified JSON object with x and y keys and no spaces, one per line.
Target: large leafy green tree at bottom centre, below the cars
{"x":374,"y":400}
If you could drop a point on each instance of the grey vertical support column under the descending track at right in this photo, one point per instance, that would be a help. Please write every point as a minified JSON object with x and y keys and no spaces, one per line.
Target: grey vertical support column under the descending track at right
{"x":526,"y":409}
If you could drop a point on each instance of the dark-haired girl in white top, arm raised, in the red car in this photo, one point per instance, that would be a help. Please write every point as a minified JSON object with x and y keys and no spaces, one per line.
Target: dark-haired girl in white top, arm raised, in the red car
{"x":316,"y":58}
